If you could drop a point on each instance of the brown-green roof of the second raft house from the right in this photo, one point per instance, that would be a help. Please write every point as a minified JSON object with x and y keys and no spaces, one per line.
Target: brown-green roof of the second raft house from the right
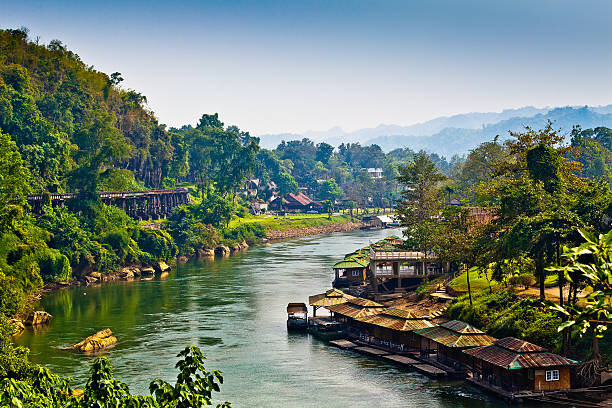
{"x":458,"y":334}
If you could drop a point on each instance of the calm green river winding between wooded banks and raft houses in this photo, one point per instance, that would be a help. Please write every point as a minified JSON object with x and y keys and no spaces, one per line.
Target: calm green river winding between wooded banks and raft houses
{"x":234,"y":309}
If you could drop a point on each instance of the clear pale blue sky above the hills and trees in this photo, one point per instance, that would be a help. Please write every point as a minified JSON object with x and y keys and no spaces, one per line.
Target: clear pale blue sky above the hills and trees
{"x":297,"y":65}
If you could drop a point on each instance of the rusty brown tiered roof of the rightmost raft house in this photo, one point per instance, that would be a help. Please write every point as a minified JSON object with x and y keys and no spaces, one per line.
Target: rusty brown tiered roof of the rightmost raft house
{"x":514,"y":354}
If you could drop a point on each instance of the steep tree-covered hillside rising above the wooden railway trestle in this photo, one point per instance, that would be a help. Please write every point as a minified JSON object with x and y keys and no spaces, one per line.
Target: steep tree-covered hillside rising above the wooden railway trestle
{"x":50,"y":104}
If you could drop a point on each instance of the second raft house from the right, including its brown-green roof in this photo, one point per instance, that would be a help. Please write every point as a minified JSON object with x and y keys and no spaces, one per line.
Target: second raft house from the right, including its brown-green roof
{"x":448,"y":341}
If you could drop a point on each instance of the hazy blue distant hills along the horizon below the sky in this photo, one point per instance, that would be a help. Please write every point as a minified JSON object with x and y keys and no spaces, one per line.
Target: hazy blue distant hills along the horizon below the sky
{"x":456,"y":134}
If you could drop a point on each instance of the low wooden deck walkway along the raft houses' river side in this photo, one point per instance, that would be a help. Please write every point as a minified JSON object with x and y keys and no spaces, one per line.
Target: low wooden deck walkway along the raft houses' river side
{"x":401,"y":360}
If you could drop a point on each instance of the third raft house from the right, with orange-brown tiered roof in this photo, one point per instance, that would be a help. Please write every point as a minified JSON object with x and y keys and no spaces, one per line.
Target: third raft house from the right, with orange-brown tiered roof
{"x":392,"y":328}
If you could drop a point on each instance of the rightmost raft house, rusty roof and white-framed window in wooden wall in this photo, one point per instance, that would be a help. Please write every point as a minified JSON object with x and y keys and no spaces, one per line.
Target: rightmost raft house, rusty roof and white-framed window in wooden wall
{"x":516,"y":365}
